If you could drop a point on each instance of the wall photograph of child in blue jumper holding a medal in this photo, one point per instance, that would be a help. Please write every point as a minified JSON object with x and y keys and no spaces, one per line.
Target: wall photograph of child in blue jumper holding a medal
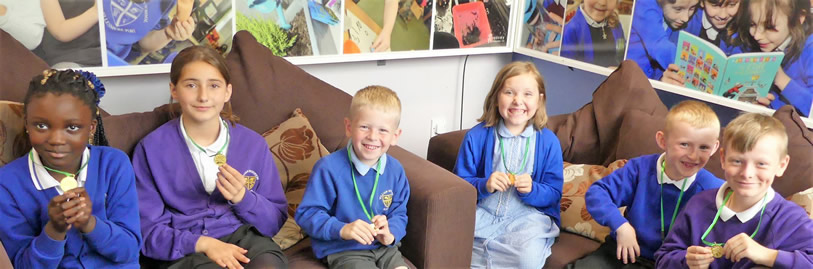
{"x":141,"y":32}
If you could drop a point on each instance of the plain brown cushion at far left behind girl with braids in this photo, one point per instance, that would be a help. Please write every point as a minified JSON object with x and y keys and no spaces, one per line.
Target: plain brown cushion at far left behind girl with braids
{"x":20,"y":65}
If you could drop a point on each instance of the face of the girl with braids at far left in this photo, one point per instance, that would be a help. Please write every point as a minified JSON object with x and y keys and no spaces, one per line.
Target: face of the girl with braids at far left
{"x":58,"y":127}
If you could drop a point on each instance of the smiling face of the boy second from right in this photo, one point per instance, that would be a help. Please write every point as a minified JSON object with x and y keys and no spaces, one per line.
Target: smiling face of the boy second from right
{"x":687,"y":148}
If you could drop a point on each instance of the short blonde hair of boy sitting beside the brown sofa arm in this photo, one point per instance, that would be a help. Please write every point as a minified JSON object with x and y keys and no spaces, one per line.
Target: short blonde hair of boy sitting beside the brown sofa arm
{"x":378,"y":97}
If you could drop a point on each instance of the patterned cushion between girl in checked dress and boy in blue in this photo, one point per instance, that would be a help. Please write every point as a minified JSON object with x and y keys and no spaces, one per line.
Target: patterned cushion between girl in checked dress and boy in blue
{"x":578,"y":178}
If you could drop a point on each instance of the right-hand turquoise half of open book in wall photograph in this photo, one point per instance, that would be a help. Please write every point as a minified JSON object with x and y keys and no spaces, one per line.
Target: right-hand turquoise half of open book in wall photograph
{"x":749,"y":76}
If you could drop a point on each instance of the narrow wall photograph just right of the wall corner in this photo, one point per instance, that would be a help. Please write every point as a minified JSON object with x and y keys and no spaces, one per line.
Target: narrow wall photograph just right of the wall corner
{"x":542,"y":25}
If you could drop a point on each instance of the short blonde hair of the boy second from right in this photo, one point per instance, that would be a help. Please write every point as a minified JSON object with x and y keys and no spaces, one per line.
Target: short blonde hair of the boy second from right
{"x":696,"y":114}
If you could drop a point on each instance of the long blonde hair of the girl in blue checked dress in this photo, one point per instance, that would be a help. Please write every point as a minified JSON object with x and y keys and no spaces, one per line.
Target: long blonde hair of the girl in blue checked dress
{"x":491,"y":114}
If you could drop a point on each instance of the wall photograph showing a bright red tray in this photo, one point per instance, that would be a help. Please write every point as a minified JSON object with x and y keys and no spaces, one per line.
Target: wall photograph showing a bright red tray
{"x":471,"y":23}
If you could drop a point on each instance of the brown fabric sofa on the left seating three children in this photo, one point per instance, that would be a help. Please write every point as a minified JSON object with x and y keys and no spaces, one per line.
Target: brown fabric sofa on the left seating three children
{"x":266,"y":89}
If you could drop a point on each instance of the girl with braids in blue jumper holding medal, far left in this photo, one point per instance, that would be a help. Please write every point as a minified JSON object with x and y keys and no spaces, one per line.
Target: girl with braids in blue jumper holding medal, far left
{"x":66,"y":202}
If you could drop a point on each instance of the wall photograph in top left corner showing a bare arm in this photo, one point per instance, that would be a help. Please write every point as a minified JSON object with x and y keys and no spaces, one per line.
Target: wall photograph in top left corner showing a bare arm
{"x":64,"y":33}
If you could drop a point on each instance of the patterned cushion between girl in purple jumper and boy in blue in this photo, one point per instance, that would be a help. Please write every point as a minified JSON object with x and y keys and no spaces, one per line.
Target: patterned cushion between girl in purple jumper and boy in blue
{"x":296,"y":148}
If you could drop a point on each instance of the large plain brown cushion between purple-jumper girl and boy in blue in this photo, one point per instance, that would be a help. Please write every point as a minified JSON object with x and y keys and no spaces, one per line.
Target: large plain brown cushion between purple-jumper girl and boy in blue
{"x":266,"y":88}
